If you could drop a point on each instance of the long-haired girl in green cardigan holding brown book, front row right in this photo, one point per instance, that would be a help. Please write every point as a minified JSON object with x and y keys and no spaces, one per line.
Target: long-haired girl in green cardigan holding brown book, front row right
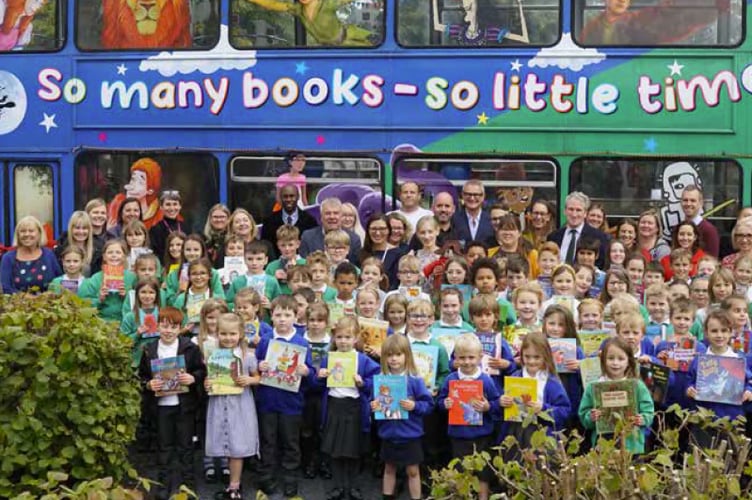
{"x":618,"y":364}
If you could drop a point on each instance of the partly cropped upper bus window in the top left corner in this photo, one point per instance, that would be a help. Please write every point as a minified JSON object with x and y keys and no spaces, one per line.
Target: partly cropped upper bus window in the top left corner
{"x":31,"y":25}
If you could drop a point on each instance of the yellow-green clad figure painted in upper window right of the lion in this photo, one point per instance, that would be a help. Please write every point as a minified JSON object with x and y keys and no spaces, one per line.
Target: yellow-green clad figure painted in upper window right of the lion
{"x":321,"y":19}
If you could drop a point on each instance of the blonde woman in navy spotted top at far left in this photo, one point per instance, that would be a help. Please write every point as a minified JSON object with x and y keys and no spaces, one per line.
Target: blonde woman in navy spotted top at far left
{"x":30,"y":267}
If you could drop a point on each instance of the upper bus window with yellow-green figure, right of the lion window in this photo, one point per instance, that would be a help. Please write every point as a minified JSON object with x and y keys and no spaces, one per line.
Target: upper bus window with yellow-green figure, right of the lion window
{"x":315,"y":23}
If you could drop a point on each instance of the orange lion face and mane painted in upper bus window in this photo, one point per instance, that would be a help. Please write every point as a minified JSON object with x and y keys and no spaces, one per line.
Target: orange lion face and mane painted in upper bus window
{"x":143,"y":24}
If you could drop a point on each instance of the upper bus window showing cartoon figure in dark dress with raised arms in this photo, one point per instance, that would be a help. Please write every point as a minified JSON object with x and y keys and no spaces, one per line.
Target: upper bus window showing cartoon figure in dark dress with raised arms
{"x":477,"y":23}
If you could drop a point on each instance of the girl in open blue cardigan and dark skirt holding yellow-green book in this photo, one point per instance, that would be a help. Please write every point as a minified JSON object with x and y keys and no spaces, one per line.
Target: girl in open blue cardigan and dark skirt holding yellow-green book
{"x":347,"y":411}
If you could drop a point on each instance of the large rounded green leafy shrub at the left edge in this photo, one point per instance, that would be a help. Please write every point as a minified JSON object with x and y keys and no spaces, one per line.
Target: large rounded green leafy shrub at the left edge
{"x":69,"y":402}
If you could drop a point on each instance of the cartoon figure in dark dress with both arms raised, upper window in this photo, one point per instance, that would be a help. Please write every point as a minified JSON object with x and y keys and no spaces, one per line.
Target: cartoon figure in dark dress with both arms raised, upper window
{"x":471,"y":34}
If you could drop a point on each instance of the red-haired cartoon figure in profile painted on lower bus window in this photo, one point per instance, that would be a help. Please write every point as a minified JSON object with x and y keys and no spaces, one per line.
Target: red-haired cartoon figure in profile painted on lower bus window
{"x":144,"y":185}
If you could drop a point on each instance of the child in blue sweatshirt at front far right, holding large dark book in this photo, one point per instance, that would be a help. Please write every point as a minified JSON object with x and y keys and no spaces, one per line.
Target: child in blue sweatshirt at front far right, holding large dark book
{"x":718,"y":327}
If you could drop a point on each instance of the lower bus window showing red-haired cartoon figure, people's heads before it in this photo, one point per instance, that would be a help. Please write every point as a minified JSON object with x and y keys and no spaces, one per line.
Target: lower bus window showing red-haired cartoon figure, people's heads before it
{"x":115,"y":176}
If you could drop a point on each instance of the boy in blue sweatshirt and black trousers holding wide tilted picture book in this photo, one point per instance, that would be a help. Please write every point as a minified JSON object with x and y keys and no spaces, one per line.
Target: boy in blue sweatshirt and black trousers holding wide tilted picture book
{"x":280,"y":411}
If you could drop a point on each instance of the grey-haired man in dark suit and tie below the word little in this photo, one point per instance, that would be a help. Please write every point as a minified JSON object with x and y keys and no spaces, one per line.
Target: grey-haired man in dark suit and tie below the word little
{"x":576,"y":207}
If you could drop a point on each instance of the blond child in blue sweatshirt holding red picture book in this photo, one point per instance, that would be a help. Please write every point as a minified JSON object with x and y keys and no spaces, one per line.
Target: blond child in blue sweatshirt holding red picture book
{"x":466,"y":439}
